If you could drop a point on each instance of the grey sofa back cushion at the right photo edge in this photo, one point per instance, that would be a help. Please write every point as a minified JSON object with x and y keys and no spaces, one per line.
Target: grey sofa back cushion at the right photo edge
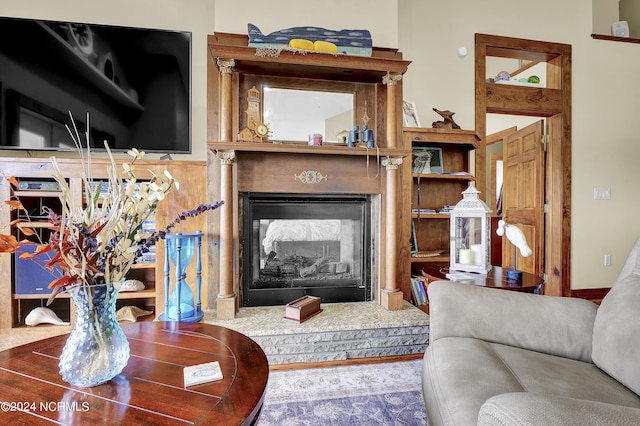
{"x":616,"y":332}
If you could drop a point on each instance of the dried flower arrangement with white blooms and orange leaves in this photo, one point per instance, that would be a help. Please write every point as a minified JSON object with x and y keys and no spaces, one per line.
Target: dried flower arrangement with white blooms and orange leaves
{"x":100,"y":242}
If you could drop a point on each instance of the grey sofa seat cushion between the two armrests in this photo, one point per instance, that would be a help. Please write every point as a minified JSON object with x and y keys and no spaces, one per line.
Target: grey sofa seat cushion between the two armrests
{"x":460,"y":374}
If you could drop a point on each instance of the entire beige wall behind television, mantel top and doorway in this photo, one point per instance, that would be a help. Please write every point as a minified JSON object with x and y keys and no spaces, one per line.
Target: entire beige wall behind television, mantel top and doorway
{"x":606,"y":96}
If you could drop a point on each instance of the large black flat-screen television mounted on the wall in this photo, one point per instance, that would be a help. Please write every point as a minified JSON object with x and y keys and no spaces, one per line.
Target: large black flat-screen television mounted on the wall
{"x":134,"y":83}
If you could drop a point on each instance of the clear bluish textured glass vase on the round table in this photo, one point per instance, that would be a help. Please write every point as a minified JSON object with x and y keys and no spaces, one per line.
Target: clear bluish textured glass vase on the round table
{"x":97,"y":349}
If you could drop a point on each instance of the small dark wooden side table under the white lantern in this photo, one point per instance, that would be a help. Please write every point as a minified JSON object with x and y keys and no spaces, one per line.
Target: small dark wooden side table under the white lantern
{"x":496,"y":278}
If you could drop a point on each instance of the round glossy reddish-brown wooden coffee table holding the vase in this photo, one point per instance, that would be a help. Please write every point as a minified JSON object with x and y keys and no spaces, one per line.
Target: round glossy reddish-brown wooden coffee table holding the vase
{"x":150,"y":389}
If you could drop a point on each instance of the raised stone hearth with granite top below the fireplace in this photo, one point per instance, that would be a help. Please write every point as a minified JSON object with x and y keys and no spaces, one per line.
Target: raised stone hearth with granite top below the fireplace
{"x":342,"y":331}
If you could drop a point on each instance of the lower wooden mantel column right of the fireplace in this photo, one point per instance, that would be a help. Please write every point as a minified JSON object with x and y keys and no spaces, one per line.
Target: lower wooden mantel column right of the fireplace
{"x":391,"y":296}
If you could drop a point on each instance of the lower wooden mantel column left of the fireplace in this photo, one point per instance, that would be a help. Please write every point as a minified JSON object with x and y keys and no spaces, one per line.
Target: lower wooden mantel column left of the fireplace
{"x":226,"y":301}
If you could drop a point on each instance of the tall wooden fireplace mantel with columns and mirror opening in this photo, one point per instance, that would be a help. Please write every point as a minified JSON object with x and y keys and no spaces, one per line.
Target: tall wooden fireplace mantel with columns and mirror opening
{"x":235,"y":166}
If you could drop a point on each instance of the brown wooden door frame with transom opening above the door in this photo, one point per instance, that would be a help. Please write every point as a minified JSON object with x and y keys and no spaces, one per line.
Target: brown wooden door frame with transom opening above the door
{"x":551,"y":101}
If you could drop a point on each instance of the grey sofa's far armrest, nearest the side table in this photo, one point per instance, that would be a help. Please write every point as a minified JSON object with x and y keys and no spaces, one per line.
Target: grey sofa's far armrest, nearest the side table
{"x":555,"y":325}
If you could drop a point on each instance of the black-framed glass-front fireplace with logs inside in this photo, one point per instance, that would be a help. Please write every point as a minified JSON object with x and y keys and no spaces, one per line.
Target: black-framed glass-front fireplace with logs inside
{"x":305,"y":244}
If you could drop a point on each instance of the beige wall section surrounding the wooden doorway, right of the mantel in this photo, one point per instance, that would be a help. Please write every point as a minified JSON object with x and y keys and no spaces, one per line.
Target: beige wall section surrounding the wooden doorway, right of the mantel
{"x":606,"y":105}
